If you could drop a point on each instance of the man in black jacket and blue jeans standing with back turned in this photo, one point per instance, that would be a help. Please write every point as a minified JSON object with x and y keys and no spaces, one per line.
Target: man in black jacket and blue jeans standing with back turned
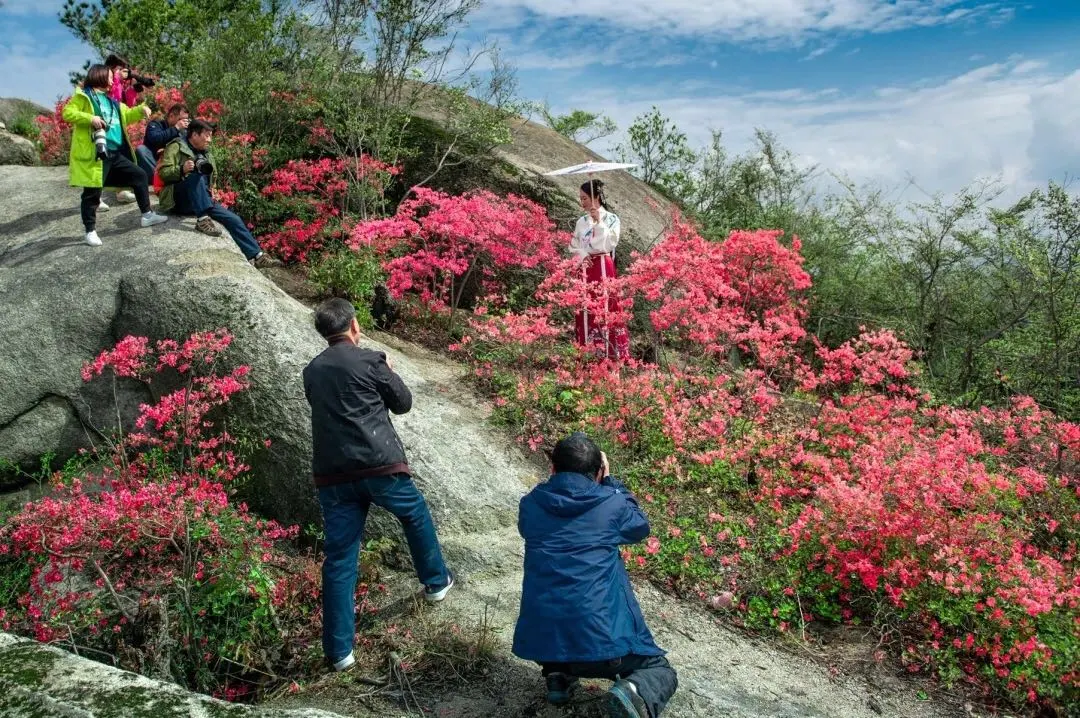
{"x":359,"y":460}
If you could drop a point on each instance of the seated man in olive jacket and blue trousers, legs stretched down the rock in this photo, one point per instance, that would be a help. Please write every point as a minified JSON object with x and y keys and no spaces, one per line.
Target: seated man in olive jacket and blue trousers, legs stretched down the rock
{"x":187,"y":169}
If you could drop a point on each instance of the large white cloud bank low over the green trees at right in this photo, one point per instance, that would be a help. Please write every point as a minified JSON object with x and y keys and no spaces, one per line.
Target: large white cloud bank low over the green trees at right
{"x":1014,"y":120}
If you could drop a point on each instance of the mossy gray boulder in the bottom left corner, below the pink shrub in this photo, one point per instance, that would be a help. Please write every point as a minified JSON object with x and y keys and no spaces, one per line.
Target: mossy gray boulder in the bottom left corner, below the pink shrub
{"x":39,"y":681}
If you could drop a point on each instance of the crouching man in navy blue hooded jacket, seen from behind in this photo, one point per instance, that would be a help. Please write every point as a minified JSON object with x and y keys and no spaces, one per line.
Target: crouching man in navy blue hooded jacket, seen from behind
{"x":579,"y":617}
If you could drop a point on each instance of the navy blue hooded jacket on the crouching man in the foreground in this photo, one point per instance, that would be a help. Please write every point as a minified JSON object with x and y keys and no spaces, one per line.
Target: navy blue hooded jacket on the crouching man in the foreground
{"x":577,"y":602}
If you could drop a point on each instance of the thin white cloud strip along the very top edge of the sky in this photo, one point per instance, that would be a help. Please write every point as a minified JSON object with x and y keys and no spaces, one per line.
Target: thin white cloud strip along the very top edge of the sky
{"x":752,"y":21}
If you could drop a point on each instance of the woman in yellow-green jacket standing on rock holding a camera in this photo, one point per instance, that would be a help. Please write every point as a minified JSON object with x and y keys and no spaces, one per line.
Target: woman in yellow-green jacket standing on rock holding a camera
{"x":101,"y":152}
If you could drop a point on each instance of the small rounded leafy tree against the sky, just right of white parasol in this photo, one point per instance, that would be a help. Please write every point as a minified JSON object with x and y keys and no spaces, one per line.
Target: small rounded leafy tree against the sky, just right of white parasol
{"x":659,"y":148}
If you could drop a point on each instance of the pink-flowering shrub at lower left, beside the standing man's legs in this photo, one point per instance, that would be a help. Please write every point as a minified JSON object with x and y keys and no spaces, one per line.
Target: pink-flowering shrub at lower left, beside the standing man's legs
{"x":146,"y":559}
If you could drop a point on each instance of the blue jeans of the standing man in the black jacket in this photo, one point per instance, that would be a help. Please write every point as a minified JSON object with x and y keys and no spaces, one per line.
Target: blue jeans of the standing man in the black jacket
{"x":345,"y":511}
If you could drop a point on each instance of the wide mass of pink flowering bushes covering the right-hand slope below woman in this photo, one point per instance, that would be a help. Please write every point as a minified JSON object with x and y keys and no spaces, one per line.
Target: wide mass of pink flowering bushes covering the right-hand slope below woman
{"x":813,"y":484}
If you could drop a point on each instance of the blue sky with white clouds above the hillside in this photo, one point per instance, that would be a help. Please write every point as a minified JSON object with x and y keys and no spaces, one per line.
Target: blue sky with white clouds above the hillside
{"x":877,"y":91}
